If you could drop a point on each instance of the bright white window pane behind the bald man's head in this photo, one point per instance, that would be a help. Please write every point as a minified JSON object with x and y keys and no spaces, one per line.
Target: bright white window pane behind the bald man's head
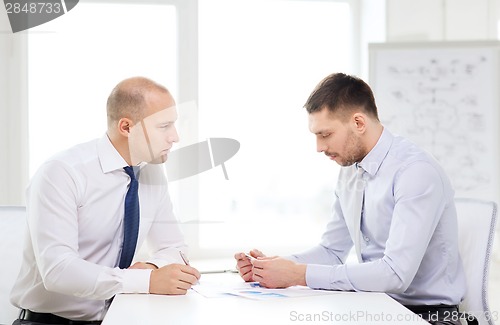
{"x":76,"y":60}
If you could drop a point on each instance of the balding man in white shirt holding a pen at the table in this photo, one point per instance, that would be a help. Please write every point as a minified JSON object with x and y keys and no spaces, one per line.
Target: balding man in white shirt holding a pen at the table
{"x":75,"y":213}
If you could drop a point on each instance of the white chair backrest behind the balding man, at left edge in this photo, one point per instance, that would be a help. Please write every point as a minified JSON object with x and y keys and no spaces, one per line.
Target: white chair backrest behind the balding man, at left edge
{"x":12,"y":228}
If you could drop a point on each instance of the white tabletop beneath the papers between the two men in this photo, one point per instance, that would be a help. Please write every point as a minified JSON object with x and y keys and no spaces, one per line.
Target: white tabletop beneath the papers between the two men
{"x":193,"y":308}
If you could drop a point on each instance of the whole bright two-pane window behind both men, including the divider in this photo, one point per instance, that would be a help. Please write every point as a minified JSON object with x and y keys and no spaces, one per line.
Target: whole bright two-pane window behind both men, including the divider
{"x":251,"y":64}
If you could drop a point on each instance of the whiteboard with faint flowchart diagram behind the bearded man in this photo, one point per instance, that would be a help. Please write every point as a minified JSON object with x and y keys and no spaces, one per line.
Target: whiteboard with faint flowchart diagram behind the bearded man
{"x":444,"y":101}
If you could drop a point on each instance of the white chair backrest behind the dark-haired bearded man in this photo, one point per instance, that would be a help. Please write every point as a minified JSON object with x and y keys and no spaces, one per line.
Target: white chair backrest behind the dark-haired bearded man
{"x":476,"y":230}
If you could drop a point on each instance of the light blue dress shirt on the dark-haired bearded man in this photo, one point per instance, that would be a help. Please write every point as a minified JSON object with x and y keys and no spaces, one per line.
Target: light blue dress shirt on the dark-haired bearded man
{"x":409,"y":231}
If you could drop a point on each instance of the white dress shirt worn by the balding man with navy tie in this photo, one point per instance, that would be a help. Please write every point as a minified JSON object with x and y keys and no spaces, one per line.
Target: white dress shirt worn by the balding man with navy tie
{"x":75,"y":207}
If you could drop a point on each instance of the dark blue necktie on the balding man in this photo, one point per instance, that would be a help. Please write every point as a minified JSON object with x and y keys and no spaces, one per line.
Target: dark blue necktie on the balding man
{"x":130,"y":220}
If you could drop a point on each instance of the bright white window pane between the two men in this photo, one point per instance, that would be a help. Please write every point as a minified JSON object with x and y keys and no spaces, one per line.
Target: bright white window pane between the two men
{"x":259,"y":61}
